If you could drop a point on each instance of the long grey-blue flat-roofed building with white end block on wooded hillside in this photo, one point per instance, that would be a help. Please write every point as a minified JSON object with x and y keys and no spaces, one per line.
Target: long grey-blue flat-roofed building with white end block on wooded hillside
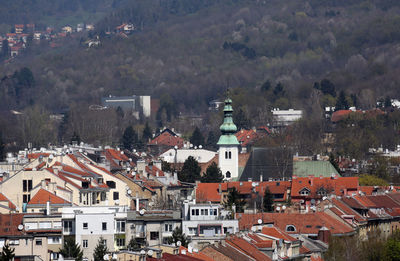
{"x":137,"y":105}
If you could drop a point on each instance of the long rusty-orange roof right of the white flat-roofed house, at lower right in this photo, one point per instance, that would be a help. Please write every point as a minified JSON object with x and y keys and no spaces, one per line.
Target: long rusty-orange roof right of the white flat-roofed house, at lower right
{"x":309,"y":223}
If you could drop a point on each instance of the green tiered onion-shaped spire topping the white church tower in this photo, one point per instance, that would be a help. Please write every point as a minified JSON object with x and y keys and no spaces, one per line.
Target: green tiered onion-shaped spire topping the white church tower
{"x":228,"y":128}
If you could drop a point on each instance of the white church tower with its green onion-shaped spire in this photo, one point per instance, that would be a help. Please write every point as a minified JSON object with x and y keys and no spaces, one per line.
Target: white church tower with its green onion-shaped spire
{"x":228,"y":159}
